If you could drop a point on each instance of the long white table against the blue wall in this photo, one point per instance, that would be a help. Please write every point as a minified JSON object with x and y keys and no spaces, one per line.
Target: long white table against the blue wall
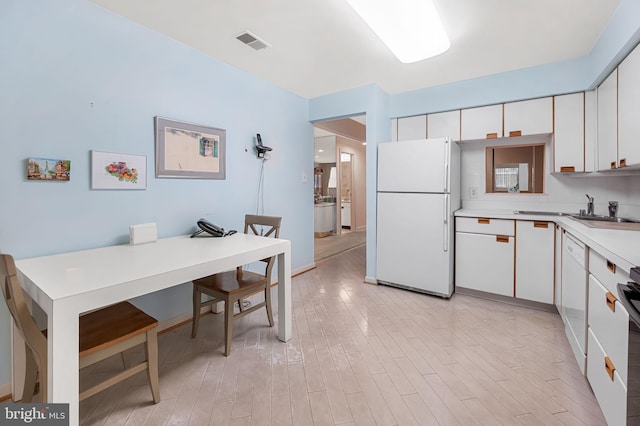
{"x":66,"y":285}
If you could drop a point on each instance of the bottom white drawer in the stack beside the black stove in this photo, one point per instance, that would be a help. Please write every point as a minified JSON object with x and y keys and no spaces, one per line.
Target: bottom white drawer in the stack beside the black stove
{"x":610,"y":392}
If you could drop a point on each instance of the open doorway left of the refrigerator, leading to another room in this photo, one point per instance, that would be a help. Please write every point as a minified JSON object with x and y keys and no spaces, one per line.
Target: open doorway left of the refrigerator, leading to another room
{"x":339,"y":186}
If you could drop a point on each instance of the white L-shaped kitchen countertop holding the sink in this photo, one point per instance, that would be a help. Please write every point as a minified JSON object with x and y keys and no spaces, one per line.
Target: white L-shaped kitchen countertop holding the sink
{"x":621,"y":247}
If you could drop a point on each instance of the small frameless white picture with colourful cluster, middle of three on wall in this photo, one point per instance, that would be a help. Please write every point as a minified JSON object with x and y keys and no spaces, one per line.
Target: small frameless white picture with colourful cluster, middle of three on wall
{"x":110,"y":170}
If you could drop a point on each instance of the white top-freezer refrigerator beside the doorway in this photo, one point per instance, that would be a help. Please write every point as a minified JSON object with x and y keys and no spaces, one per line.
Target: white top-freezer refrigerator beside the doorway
{"x":418,"y":192}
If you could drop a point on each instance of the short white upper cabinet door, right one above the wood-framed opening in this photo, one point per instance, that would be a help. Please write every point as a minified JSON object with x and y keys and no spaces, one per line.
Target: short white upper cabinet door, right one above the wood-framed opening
{"x":530,"y":117}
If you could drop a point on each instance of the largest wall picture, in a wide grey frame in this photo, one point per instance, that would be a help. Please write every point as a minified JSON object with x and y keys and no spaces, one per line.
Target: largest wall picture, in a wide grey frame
{"x":185,"y":150}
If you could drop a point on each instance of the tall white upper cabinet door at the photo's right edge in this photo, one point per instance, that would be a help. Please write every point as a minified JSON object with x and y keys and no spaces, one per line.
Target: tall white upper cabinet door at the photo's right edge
{"x":628,"y":107}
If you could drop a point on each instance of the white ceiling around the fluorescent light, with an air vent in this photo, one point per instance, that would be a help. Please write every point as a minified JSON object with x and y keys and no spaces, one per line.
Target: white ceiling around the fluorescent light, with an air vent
{"x":322,"y":46}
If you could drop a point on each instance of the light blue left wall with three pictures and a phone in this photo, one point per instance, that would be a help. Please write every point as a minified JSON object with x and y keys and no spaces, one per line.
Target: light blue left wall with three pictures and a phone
{"x":75,"y":77}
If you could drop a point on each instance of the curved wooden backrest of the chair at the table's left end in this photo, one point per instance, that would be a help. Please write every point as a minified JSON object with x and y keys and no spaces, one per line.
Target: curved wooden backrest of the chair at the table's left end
{"x":23,"y":320}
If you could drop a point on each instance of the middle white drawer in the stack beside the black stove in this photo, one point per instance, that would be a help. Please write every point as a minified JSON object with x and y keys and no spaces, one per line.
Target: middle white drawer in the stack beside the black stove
{"x":611,"y":327}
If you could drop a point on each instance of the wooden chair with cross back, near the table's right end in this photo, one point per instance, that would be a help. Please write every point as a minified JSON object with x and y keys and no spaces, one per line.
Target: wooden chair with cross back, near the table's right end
{"x":233,"y":286}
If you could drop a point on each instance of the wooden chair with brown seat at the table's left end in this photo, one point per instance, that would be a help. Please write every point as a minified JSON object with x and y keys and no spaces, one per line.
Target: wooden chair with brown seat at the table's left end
{"x":103,"y":333}
